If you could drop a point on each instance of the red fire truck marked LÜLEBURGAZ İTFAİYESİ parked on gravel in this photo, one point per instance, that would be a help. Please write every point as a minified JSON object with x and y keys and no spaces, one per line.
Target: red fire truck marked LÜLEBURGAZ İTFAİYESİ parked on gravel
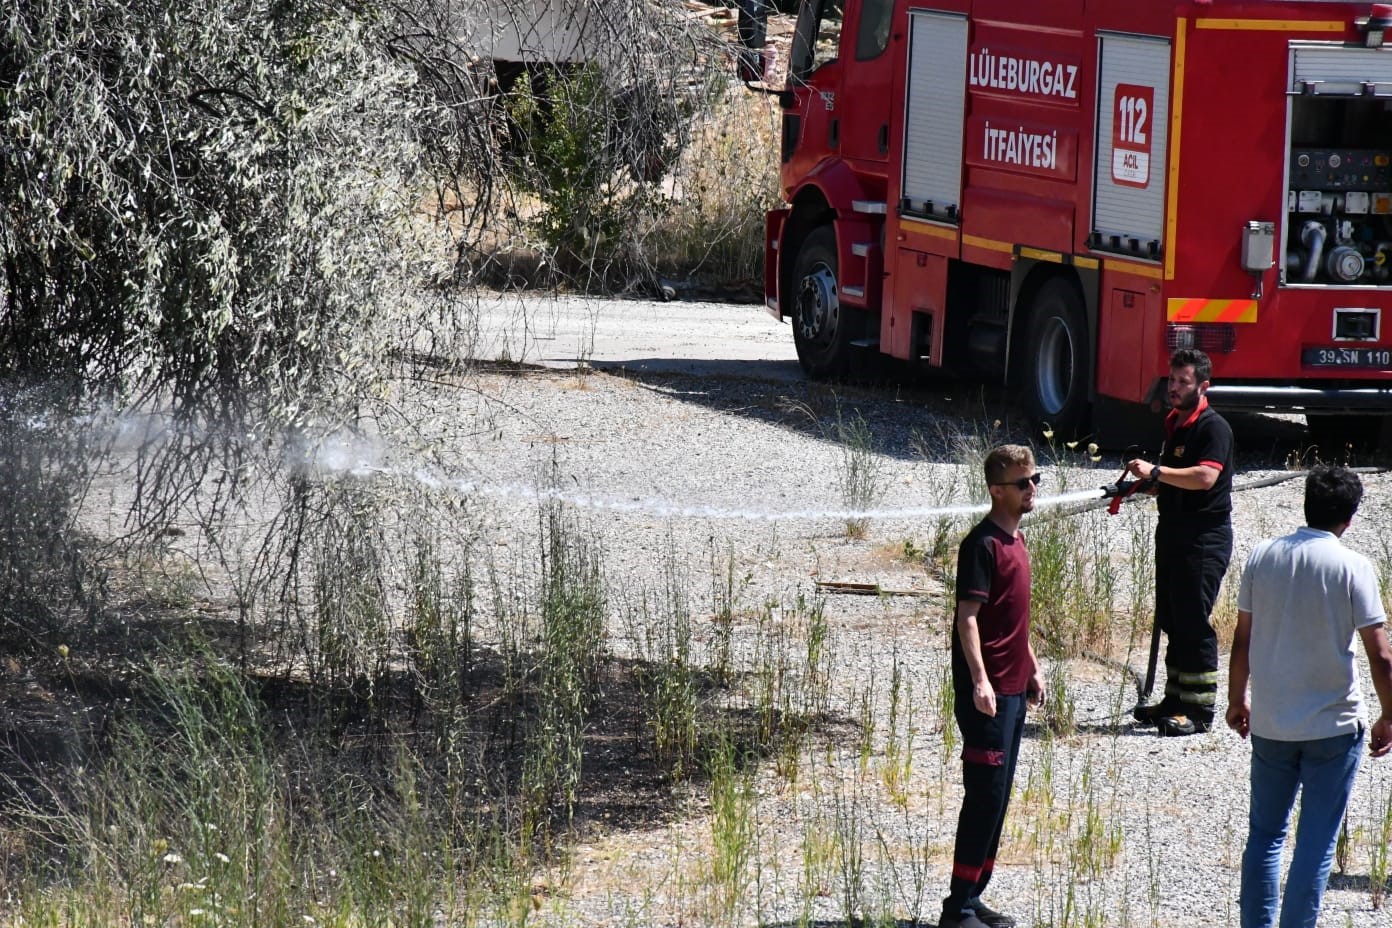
{"x":1057,"y":194}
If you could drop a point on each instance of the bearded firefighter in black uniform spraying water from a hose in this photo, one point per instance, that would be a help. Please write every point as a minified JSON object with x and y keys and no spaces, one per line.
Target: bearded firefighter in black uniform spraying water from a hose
{"x":1194,"y":545}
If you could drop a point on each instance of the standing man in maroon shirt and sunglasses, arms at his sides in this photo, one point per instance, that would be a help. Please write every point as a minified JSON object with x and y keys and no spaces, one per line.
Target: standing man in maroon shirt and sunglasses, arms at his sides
{"x":995,"y":675}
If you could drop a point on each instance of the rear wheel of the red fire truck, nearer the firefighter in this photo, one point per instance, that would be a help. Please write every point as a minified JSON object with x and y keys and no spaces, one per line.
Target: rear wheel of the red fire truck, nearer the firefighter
{"x":1057,"y":360}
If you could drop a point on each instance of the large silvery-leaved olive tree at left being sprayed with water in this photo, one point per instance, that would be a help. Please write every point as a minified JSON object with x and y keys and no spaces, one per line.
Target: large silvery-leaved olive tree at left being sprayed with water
{"x":208,"y":212}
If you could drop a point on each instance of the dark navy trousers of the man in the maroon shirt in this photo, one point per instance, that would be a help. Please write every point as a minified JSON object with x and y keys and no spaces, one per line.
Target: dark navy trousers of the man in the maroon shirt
{"x":990,"y":748}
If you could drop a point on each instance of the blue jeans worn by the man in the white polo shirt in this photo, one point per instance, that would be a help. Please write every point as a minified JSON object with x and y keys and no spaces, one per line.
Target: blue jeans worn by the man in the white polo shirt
{"x":1323,"y":771}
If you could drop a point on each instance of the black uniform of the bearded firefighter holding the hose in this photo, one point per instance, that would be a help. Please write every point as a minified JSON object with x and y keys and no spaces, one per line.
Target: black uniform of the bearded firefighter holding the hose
{"x":1194,"y":545}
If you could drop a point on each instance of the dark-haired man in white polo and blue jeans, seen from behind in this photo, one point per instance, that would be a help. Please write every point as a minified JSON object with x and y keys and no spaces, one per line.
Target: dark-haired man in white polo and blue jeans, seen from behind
{"x":1301,"y":603}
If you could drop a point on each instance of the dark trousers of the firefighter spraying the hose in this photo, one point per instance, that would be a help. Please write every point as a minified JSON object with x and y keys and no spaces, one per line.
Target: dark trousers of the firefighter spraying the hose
{"x":1192,"y":556}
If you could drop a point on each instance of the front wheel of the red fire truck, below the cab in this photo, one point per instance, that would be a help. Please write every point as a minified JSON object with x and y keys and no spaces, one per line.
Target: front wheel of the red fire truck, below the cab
{"x":822,"y":328}
